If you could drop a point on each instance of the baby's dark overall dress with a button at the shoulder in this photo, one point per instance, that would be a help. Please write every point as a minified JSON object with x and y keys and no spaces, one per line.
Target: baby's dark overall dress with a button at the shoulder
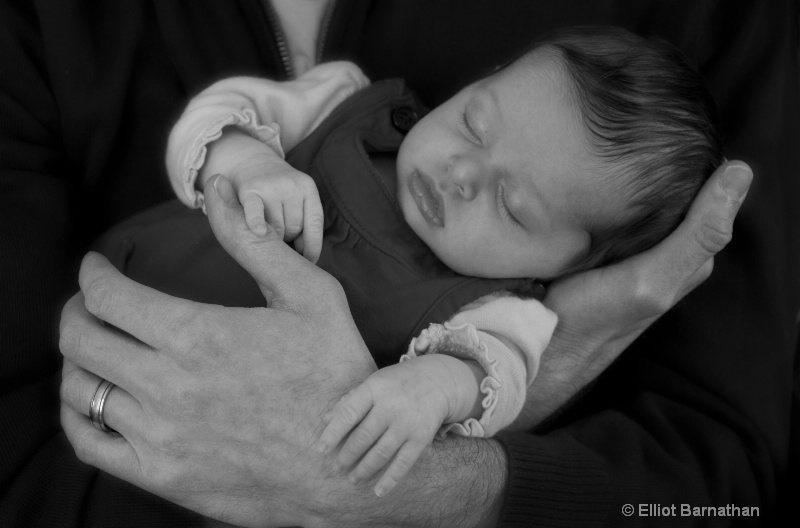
{"x":395,"y":285}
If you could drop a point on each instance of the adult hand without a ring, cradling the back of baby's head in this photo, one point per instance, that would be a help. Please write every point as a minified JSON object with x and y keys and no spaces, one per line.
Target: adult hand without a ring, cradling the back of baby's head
{"x":602,"y":311}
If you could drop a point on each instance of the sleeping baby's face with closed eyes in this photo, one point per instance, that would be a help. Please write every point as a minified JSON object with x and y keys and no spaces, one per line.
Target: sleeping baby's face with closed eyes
{"x":497,"y":181}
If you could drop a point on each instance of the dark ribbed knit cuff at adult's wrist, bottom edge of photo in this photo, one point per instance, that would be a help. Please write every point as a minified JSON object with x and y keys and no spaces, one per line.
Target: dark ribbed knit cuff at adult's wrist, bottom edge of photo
{"x":553,"y":482}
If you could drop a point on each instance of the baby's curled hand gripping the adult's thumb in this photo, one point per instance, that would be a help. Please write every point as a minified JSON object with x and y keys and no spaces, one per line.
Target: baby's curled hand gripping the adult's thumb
{"x":274,"y":192}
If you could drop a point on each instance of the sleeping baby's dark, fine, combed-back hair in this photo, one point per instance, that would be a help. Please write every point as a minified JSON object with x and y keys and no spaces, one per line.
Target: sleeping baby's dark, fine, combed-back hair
{"x":652,"y":118}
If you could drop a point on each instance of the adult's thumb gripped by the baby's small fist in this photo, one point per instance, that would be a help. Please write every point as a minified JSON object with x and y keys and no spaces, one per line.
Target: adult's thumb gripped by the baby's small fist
{"x":281,"y":273}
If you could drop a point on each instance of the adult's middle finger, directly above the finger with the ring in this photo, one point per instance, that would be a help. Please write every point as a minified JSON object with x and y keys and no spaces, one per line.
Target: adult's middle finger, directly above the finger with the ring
{"x":87,"y":342}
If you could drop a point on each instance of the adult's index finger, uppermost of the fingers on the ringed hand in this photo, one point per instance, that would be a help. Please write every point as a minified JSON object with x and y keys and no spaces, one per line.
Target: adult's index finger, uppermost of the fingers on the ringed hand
{"x":145,"y":313}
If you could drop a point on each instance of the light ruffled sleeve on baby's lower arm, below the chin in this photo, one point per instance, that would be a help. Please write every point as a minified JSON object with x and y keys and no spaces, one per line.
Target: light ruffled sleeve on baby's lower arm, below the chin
{"x":506,"y":335}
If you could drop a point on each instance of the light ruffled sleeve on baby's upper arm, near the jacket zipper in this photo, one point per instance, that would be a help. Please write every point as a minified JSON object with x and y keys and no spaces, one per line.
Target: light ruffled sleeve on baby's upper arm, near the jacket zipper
{"x":279,"y":114}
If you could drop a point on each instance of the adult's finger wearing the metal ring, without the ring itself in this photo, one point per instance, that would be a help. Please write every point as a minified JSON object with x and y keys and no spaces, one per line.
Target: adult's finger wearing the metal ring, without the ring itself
{"x":121,"y":411}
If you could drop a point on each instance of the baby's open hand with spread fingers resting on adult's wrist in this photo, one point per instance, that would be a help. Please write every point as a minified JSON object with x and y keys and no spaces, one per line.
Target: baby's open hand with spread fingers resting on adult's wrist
{"x":391,"y":417}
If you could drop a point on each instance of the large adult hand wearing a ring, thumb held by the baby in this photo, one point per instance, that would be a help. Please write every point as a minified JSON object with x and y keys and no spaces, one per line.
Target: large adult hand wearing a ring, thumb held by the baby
{"x":215,"y":407}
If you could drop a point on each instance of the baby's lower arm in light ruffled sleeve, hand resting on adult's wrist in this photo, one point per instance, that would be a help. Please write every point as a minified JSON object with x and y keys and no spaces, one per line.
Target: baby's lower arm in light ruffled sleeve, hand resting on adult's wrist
{"x":468,"y":376}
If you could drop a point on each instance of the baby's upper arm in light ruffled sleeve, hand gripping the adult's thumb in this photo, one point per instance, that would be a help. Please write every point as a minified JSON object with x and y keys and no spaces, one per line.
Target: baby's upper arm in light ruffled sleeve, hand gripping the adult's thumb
{"x":240,"y":127}
